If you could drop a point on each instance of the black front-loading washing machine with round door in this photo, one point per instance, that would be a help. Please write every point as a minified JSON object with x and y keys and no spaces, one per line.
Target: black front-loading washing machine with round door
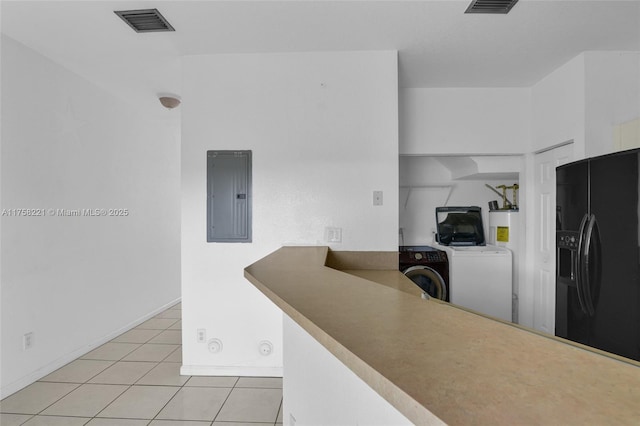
{"x":428,"y":267}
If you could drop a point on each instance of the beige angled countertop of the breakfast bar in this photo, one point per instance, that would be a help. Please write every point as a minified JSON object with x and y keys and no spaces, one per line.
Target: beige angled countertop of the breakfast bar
{"x":428,"y":357}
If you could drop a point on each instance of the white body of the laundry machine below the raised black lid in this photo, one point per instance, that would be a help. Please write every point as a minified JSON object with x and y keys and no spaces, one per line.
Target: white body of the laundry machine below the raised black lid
{"x":480,"y":278}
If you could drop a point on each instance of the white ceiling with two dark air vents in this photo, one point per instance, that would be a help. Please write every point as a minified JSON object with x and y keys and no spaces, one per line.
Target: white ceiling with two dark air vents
{"x":438,"y":45}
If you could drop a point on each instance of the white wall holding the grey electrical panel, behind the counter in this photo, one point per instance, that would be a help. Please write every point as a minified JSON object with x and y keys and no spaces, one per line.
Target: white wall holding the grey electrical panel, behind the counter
{"x":323,"y":128}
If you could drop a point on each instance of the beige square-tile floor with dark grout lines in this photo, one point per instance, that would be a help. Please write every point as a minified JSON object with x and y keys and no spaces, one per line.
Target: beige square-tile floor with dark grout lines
{"x":134,"y":380}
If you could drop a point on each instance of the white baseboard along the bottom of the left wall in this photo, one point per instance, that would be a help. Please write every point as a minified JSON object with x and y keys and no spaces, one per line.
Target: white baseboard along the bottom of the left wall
{"x":25,"y":381}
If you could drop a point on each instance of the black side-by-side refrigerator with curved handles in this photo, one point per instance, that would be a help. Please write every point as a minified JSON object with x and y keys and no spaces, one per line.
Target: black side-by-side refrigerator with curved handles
{"x":598,"y":263}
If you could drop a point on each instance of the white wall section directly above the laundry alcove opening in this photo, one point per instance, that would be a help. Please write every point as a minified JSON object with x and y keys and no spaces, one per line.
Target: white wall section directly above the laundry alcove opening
{"x":464,"y":121}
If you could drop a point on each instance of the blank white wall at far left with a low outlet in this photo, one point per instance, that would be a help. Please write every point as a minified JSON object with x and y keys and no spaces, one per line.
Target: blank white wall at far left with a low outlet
{"x":75,"y":282}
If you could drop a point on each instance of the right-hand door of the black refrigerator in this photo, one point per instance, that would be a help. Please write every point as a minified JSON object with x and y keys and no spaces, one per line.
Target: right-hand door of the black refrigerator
{"x":614,"y":202}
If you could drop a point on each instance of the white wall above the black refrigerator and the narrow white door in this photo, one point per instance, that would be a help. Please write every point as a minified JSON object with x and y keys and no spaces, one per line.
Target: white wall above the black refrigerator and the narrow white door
{"x":583,"y":100}
